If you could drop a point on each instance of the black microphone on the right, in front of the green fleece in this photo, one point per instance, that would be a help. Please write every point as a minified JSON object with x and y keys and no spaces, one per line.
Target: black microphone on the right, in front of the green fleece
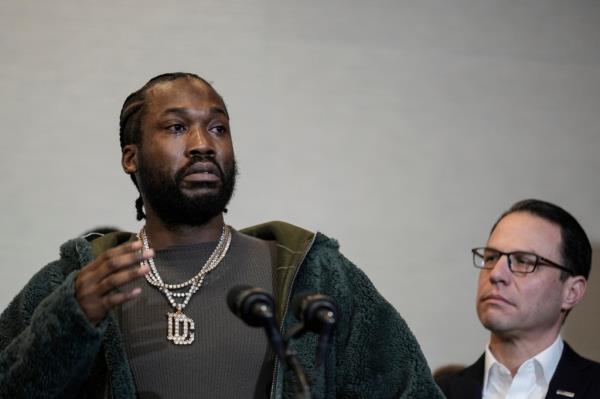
{"x":318,"y":313}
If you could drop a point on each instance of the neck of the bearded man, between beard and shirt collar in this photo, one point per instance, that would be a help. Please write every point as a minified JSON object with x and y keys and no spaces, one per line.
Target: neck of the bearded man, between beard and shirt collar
{"x":164,"y":236}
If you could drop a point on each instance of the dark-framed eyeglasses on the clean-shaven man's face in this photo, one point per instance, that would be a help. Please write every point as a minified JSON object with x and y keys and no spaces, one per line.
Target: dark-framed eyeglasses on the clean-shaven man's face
{"x":519,"y":262}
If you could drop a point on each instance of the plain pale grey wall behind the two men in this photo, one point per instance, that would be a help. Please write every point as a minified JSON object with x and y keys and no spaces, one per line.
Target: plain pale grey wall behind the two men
{"x":401,"y":128}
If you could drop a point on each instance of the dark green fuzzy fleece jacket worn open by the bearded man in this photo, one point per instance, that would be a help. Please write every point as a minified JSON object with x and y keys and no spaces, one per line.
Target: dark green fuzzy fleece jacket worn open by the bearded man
{"x":50,"y":350}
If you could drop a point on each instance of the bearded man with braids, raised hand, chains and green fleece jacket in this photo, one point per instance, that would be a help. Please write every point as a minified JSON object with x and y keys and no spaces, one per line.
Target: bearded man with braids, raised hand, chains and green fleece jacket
{"x":144,"y":315}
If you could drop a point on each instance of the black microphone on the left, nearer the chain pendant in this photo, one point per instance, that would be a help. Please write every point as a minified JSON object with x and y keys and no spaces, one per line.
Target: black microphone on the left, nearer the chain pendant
{"x":256,"y":308}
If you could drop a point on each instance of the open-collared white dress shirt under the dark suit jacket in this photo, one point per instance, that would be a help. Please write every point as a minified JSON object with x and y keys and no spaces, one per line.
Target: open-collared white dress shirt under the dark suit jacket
{"x":532,"y":378}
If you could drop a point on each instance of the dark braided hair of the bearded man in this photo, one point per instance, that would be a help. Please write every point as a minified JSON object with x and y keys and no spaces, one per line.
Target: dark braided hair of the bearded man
{"x":130,"y":120}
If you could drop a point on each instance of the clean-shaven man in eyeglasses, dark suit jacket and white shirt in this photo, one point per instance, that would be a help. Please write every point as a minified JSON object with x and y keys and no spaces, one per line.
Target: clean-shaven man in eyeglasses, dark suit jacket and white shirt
{"x":534,"y":270}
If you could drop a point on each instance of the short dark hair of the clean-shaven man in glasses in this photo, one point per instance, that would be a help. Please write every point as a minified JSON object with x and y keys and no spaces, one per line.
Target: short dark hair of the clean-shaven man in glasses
{"x":576,"y":250}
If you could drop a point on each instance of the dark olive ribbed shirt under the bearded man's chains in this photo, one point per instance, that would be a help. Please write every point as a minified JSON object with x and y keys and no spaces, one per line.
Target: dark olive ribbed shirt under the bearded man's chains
{"x":226,"y":357}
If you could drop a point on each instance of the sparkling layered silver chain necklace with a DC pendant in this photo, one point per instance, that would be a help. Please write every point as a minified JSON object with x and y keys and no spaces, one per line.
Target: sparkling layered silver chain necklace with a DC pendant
{"x":180,"y":327}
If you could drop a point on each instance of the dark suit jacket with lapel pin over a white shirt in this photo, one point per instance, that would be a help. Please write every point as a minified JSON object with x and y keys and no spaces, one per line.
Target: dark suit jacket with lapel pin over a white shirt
{"x":574,"y":374}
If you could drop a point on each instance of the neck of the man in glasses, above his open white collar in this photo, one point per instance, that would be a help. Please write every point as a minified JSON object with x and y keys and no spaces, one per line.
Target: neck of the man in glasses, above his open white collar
{"x":512,"y":351}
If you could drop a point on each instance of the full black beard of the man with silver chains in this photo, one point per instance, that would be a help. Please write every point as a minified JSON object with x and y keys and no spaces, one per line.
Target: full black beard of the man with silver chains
{"x":174,"y":207}
